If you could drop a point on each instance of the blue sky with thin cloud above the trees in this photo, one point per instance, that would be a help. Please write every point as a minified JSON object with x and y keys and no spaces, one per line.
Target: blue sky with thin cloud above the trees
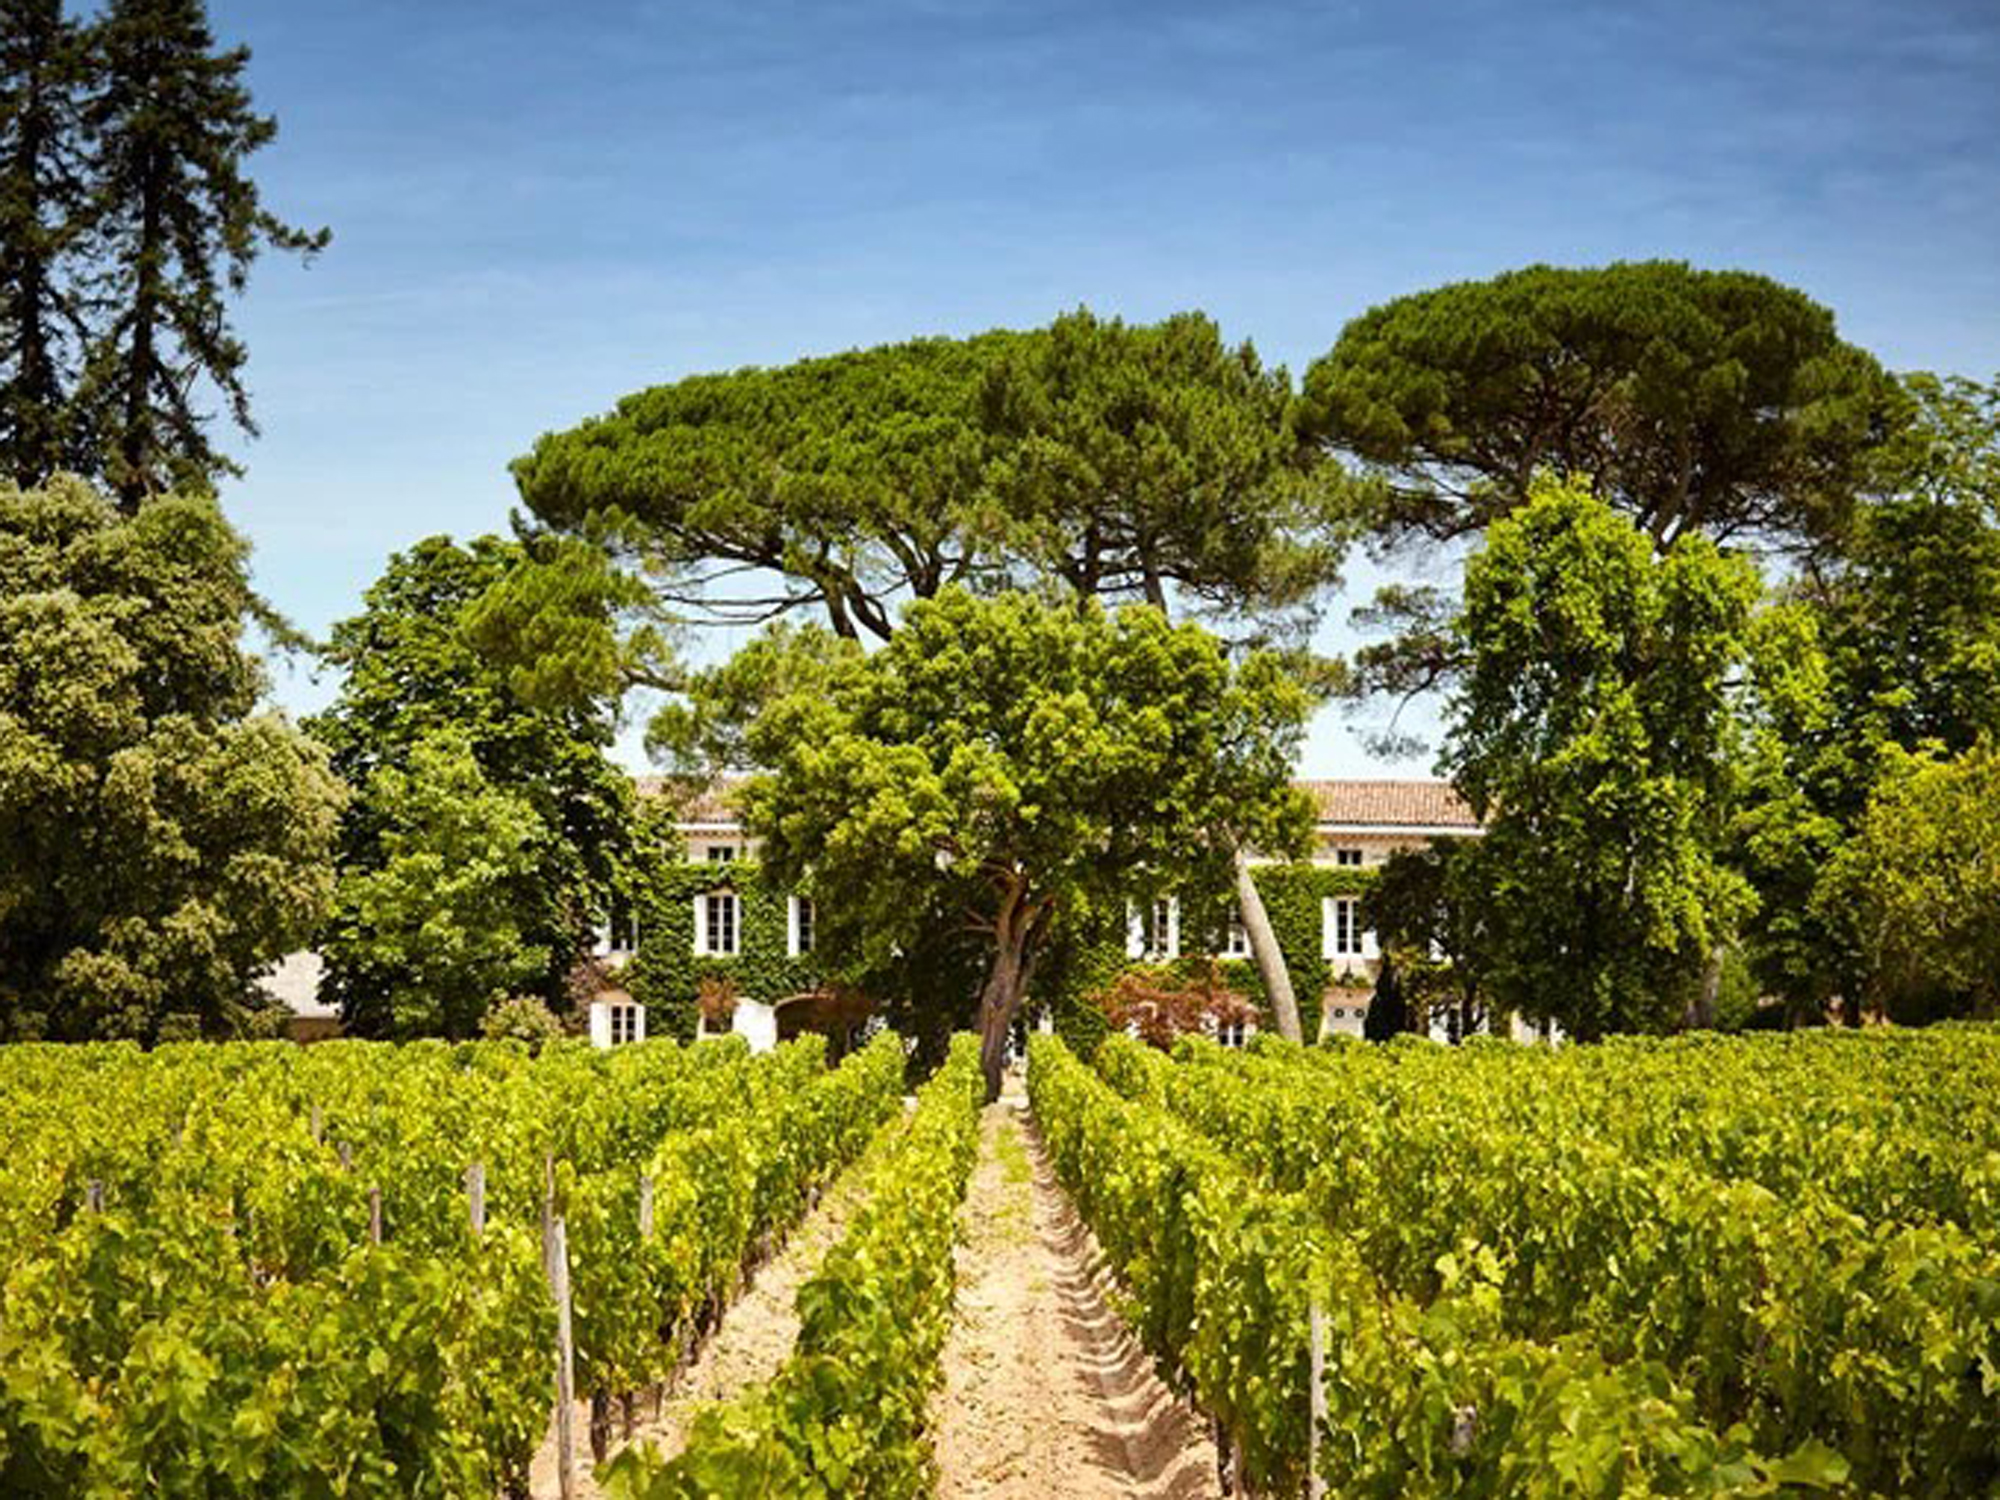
{"x":539,"y":209}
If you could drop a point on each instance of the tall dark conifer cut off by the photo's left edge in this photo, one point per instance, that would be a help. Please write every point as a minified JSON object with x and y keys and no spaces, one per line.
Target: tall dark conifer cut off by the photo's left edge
{"x":43,"y":221}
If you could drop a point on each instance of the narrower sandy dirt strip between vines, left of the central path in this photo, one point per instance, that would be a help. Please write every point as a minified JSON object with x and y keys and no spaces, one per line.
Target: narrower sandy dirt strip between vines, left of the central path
{"x":755,"y":1337}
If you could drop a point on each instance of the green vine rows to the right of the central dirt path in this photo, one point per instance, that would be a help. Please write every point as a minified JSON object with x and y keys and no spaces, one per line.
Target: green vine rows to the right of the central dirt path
{"x":1721,"y":1251}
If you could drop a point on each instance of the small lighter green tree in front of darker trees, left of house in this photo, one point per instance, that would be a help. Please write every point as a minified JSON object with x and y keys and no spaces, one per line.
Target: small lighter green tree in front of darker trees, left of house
{"x":429,"y":937}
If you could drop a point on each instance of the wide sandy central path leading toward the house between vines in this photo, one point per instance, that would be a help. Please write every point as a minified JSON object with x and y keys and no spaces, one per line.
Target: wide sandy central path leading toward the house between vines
{"x":1045,"y":1389}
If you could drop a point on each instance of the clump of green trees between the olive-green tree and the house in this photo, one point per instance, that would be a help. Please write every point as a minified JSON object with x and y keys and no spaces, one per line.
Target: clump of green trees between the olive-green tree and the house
{"x":543,"y":815}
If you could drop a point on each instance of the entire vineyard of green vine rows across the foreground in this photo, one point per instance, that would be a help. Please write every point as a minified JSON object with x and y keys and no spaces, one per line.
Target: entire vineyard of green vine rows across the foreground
{"x":1683,"y":1267}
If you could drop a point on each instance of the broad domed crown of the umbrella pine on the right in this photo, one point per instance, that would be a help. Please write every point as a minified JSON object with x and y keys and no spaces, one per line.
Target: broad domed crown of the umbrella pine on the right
{"x":1693,"y":401}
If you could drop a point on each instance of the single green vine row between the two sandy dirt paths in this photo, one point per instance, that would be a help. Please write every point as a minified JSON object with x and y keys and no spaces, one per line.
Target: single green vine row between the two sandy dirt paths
{"x":847,"y":1411}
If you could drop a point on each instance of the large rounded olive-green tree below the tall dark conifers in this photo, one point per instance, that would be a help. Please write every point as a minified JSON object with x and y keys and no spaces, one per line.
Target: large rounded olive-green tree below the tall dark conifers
{"x":159,"y":841}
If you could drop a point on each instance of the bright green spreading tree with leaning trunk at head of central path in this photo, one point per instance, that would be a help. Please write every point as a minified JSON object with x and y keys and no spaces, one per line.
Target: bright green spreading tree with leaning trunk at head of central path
{"x":1007,"y":757}
